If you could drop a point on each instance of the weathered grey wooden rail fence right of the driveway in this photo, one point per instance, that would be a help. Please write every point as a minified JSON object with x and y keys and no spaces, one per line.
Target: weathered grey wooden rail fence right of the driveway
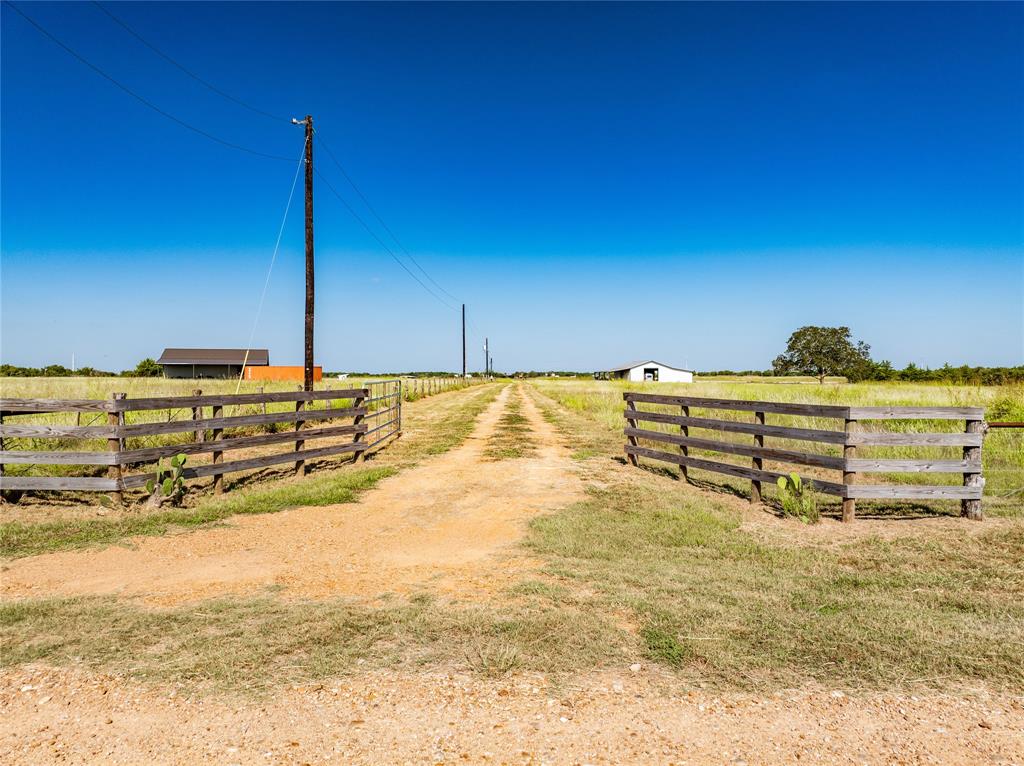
{"x":848,"y":440}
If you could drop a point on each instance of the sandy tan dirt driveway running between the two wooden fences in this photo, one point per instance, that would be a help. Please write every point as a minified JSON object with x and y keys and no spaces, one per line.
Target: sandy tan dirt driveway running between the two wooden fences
{"x":450,"y":523}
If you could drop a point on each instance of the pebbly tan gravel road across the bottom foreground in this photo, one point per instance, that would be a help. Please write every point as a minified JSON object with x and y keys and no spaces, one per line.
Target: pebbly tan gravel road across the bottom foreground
{"x":642,"y":717}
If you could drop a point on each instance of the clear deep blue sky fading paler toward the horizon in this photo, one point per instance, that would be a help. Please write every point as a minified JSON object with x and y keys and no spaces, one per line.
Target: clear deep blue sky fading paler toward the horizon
{"x":599,"y":183}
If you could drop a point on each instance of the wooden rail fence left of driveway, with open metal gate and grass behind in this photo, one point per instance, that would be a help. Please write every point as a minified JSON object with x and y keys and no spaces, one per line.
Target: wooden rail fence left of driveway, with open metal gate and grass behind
{"x":46,"y":447}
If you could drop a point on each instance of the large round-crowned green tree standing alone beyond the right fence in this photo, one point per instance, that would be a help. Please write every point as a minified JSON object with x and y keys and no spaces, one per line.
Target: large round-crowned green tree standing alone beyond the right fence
{"x":823,"y":352}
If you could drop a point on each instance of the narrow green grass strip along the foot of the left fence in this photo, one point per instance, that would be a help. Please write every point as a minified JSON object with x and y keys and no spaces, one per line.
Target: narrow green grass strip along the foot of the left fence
{"x":19,"y":539}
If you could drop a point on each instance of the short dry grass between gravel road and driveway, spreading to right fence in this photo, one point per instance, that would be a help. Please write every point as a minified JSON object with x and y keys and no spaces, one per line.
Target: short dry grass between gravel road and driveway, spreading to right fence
{"x":645,"y":567}
